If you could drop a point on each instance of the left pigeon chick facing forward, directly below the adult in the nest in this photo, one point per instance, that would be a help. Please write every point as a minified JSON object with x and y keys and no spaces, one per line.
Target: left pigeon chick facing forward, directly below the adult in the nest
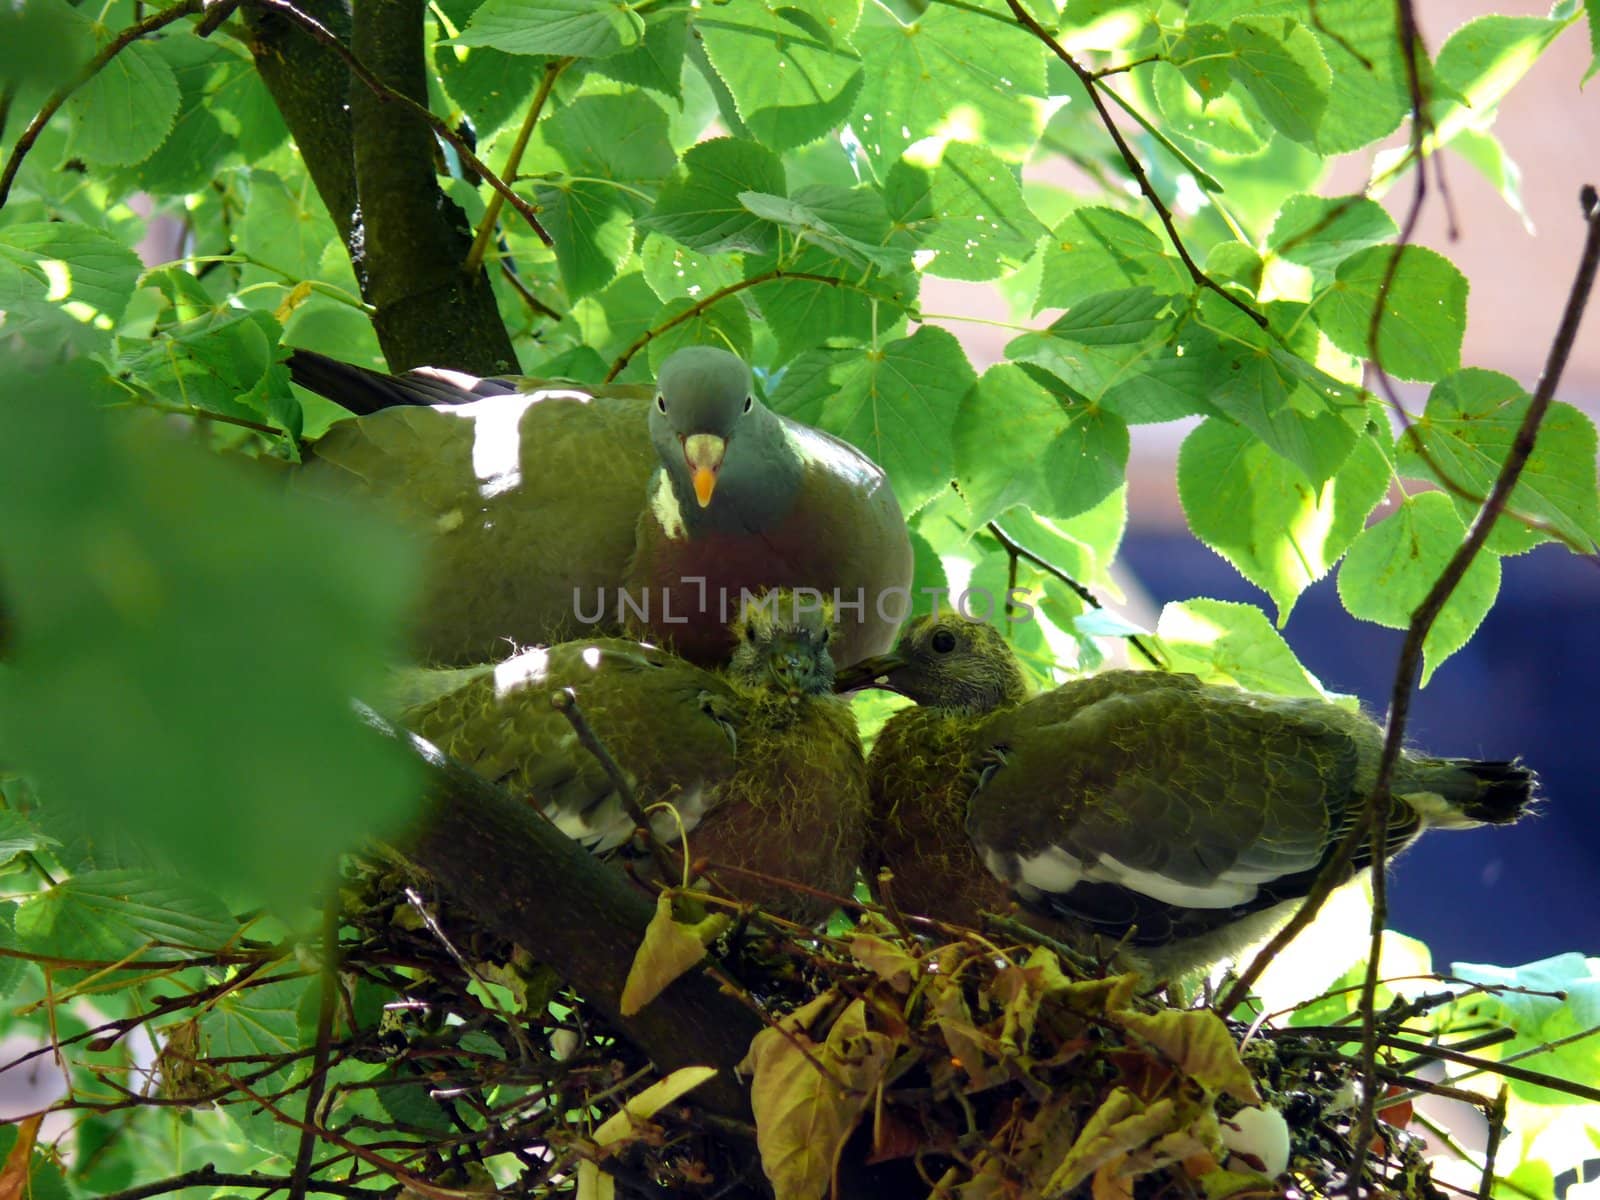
{"x":761,"y":761}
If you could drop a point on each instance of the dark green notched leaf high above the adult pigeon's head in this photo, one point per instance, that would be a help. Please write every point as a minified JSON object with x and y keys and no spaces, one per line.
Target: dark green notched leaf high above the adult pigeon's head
{"x":702,"y":206}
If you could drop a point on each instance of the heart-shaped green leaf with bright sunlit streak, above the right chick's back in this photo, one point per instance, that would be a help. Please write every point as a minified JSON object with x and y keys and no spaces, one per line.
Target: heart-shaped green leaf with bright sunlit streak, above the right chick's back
{"x":1260,"y":511}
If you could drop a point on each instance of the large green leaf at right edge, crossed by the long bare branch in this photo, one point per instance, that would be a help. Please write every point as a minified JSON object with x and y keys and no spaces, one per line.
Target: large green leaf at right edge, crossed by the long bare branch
{"x":1468,"y":431}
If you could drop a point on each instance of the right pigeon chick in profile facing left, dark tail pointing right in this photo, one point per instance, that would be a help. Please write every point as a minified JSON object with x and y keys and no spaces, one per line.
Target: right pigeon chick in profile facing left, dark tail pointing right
{"x":1140,"y":807}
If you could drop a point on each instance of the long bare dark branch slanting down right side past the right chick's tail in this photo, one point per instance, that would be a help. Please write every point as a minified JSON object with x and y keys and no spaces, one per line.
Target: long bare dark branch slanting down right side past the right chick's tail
{"x":1410,"y":654}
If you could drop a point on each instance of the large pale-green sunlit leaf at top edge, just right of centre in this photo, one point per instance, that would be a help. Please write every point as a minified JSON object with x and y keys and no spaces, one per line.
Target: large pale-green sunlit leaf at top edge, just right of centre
{"x":950,"y":65}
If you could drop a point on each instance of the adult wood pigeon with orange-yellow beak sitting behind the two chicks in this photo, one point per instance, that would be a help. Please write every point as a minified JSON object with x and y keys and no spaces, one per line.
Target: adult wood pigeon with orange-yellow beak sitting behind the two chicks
{"x":564,"y":511}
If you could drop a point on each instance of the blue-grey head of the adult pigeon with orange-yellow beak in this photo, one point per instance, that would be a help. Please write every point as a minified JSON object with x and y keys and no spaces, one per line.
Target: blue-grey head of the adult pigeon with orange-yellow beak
{"x":714,"y":438}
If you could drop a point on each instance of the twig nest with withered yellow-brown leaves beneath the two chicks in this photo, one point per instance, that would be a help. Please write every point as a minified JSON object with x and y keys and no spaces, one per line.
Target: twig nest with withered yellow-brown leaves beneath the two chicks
{"x":890,"y":1068}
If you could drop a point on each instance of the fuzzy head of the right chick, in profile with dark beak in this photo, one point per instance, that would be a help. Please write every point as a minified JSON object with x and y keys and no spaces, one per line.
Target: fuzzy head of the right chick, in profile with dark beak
{"x":946,"y":662}
